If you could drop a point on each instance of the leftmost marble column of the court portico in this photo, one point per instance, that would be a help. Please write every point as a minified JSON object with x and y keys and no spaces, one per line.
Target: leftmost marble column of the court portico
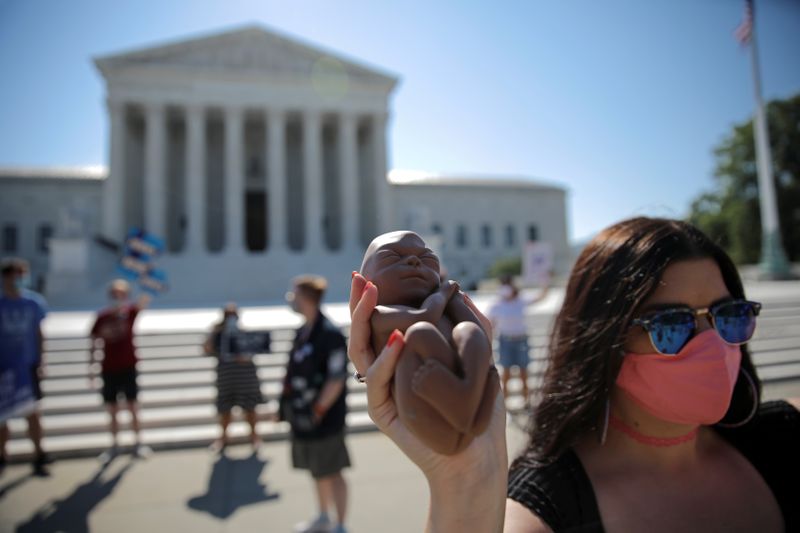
{"x":114,"y":186}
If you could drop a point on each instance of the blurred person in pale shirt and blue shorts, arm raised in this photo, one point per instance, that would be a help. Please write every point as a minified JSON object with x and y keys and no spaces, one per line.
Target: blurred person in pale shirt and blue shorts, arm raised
{"x":507,"y":315}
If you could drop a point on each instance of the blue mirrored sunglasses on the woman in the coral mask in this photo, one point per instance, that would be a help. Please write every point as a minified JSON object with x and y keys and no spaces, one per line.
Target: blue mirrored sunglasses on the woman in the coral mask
{"x":671,"y":329}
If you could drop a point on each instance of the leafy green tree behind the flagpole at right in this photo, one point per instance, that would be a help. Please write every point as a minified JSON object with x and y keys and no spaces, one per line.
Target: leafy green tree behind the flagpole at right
{"x":730,"y":213}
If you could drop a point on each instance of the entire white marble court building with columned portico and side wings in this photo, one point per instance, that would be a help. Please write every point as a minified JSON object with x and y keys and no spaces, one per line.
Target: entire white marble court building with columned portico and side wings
{"x":256,"y":157}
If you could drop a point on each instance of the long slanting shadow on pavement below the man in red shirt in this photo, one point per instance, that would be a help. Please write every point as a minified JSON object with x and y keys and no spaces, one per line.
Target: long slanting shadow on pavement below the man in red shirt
{"x":71,"y":514}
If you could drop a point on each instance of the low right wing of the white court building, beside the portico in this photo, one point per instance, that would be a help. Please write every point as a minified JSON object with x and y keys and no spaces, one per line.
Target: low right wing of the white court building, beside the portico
{"x":476,"y":220}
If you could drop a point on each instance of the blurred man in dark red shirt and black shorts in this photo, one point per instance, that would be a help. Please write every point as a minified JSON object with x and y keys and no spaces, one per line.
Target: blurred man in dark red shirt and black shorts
{"x":112,"y":334}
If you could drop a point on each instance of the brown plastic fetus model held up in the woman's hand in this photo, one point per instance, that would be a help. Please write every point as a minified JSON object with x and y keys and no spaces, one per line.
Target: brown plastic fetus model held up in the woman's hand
{"x":445,"y":383}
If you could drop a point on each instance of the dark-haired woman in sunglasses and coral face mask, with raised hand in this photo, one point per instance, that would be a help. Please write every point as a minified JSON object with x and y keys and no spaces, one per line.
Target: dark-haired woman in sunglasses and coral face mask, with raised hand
{"x":649,"y":416}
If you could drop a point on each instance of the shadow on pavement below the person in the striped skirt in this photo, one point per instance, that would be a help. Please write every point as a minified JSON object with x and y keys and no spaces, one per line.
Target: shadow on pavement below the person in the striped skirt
{"x":233,"y":483}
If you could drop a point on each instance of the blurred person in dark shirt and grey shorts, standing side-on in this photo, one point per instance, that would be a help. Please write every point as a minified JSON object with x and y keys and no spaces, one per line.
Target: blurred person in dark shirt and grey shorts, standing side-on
{"x":314,"y":403}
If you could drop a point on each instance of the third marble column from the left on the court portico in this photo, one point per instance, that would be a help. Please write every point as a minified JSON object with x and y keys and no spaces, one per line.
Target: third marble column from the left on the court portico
{"x":196,"y":179}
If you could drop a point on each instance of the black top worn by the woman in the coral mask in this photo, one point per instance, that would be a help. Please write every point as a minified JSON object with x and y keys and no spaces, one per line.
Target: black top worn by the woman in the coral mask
{"x":561,"y":493}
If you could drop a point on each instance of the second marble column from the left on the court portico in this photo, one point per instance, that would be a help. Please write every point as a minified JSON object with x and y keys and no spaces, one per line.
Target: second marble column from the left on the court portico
{"x":155,"y":166}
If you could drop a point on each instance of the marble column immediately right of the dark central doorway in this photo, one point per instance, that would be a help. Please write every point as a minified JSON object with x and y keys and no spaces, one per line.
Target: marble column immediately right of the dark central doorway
{"x":276,"y":172}
